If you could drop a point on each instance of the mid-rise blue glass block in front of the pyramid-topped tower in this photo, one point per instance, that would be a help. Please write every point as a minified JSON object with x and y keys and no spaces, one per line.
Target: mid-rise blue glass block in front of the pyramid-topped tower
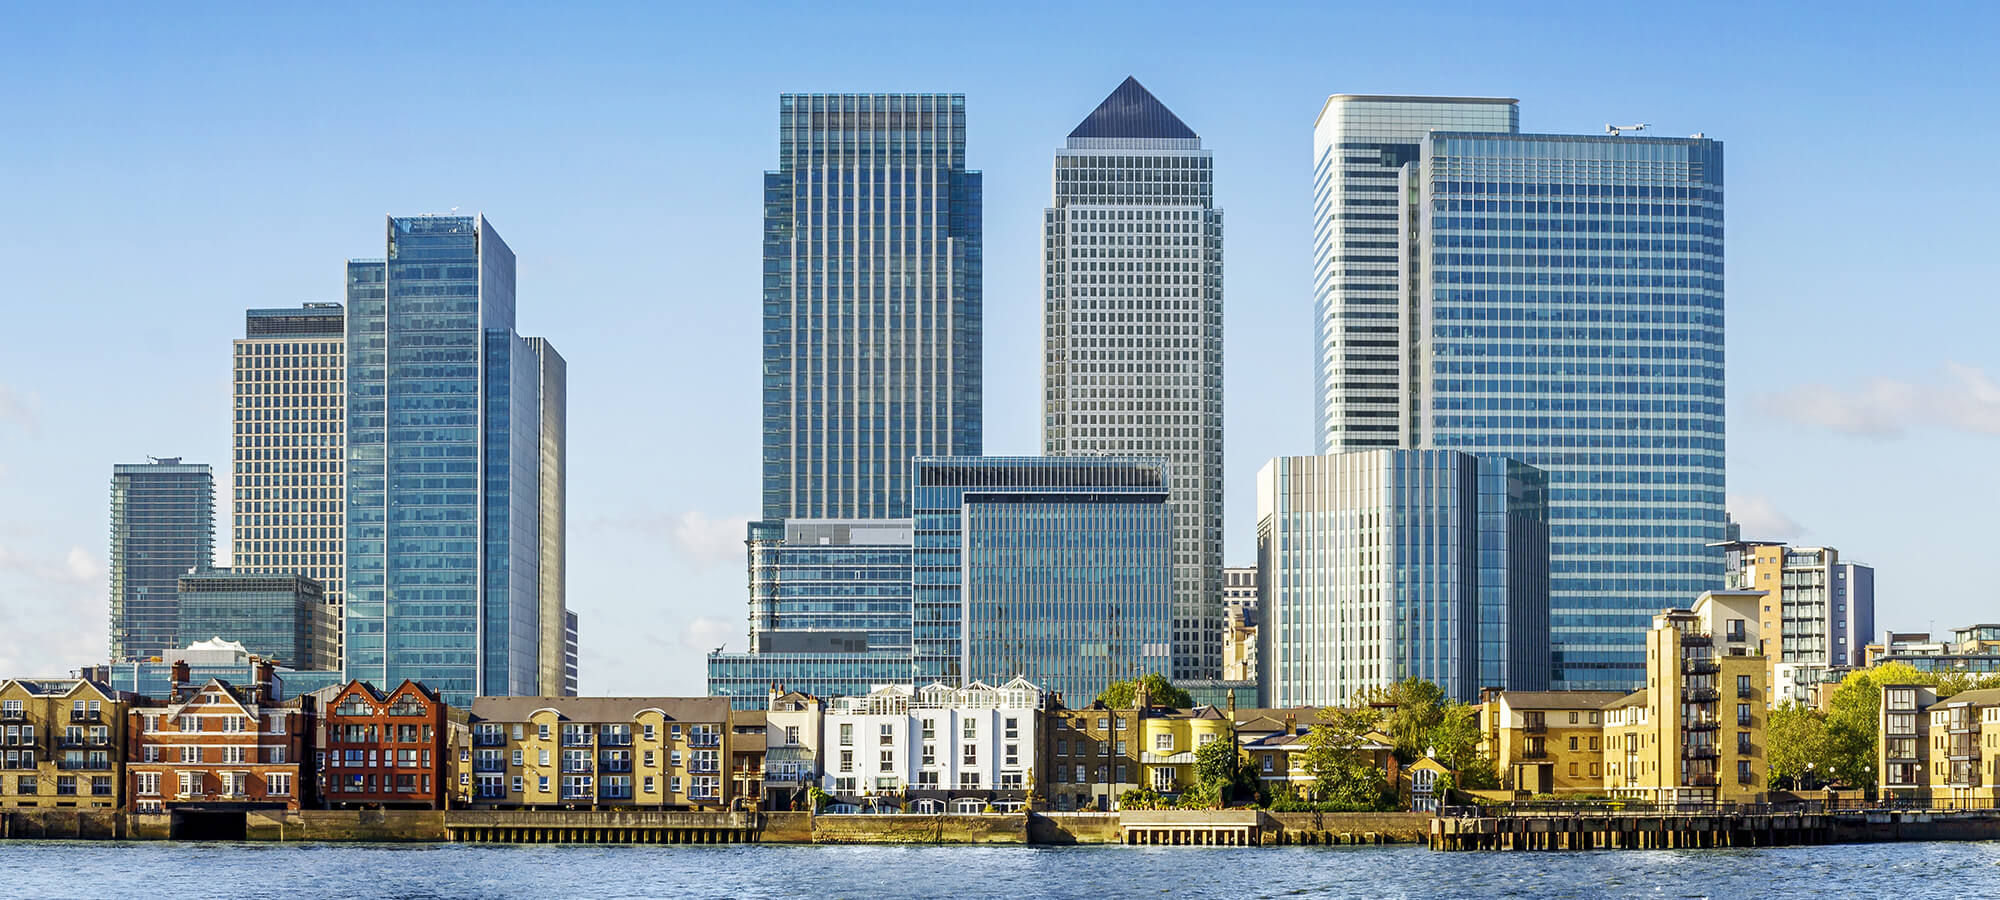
{"x":1053,"y":569}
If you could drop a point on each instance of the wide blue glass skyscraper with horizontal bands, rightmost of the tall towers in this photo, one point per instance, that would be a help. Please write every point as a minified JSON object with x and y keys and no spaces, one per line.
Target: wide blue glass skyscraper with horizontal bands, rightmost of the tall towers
{"x":1575,"y":321}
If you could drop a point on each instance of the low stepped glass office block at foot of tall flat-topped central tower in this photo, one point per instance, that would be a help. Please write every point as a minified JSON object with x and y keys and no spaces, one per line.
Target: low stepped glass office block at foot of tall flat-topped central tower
{"x":829,"y":611}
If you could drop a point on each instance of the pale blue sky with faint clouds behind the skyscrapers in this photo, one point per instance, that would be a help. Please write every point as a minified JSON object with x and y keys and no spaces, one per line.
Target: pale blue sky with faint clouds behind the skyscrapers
{"x":167,"y":169}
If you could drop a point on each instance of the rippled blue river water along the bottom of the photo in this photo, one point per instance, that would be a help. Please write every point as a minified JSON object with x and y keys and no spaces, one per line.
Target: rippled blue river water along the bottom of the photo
{"x":829,"y":873}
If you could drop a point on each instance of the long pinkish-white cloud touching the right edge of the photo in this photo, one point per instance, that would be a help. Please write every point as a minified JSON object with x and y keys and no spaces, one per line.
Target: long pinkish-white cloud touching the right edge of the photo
{"x":1959,"y":399}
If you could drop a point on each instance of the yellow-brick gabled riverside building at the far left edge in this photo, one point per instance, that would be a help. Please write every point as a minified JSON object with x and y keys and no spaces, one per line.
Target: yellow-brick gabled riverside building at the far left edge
{"x":61,"y":745}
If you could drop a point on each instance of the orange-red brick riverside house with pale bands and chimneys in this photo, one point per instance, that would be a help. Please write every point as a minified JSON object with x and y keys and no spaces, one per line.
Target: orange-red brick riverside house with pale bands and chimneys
{"x":219,"y":747}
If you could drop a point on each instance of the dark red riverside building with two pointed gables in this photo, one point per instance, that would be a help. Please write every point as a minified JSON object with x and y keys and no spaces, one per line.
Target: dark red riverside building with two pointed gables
{"x":401,"y":749}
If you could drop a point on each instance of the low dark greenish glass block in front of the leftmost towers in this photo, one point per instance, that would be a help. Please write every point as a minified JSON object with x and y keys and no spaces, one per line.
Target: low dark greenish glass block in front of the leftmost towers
{"x":281,"y":617}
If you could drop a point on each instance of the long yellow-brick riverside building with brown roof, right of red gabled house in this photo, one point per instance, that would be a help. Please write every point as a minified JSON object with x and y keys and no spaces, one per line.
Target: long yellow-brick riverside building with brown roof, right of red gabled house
{"x":611,"y":753}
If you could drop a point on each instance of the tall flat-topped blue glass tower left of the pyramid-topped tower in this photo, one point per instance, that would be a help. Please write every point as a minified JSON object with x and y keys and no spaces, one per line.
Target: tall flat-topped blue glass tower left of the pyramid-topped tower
{"x":871,"y":301}
